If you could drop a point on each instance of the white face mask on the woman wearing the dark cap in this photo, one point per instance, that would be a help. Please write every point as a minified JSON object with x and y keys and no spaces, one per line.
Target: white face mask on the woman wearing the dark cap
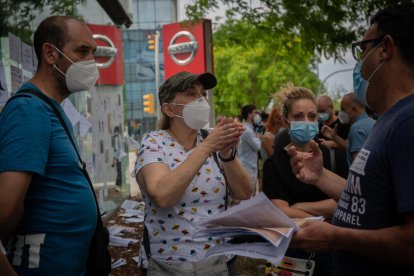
{"x":196,"y":114}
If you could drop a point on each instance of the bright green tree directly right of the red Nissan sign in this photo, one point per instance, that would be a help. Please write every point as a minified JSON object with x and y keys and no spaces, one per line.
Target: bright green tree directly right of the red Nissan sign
{"x":251,"y":65}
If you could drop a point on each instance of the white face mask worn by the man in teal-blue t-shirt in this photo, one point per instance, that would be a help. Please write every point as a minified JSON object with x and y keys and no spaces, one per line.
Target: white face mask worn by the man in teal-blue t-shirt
{"x":81,"y":75}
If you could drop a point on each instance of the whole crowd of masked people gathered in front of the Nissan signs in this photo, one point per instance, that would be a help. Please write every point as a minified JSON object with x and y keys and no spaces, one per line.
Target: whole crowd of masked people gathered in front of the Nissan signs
{"x":351,"y":167}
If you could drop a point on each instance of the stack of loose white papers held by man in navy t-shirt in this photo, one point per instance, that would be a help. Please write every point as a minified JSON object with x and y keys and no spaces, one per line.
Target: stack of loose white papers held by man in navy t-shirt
{"x":257,"y":216}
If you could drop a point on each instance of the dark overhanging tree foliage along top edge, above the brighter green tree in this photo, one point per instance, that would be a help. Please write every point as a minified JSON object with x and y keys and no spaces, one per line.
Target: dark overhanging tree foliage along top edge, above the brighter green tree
{"x":326,"y":27}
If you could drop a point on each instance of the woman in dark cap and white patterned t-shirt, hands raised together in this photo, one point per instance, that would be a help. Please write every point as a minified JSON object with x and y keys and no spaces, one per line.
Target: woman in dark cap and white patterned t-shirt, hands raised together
{"x":178,"y":171}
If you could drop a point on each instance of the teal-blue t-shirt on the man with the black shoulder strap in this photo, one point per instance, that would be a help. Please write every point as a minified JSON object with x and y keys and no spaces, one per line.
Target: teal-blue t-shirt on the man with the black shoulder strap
{"x":59,"y":218}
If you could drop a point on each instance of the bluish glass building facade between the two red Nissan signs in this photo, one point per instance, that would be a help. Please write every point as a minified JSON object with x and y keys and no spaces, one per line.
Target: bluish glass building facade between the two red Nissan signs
{"x":148,"y":17}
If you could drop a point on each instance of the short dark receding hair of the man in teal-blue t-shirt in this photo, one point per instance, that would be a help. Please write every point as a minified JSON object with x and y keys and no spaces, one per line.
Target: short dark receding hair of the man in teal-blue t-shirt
{"x":52,"y":30}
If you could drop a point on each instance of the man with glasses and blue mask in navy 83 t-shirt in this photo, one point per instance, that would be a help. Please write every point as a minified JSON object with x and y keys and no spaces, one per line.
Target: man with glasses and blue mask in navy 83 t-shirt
{"x":373,"y":226}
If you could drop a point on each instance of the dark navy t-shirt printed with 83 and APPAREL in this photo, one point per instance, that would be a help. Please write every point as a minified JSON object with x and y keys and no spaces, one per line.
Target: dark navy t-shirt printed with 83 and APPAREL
{"x":380,"y":186}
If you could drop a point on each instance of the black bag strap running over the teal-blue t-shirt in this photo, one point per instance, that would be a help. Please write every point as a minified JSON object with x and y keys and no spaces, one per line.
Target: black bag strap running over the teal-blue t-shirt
{"x":63,"y":123}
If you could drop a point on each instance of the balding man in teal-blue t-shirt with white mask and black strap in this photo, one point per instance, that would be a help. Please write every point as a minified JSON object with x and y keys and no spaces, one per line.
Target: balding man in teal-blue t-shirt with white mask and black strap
{"x":47,"y":205}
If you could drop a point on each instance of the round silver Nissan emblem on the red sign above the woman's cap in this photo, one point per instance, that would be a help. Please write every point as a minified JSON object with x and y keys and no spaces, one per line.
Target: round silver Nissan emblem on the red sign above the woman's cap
{"x":183,"y":48}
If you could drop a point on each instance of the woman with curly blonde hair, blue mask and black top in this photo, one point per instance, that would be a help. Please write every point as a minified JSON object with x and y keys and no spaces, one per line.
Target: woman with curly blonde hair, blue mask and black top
{"x":296,"y":199}
